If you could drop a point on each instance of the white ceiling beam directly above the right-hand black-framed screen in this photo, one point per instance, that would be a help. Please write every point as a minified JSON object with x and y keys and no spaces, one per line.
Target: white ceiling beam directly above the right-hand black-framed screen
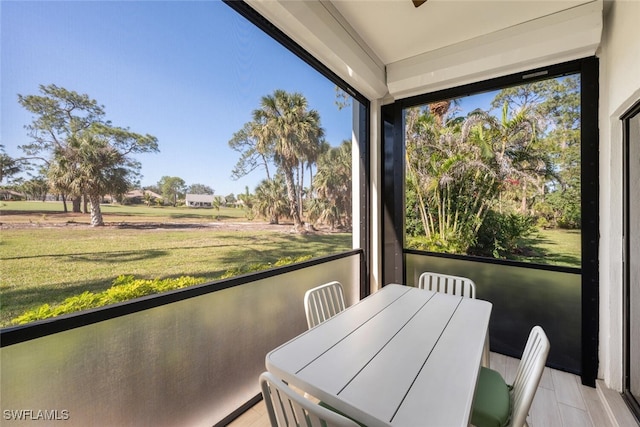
{"x":567,"y":35}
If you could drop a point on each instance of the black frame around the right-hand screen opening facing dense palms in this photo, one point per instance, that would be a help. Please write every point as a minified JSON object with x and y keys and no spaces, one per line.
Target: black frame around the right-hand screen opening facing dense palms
{"x":393,"y":183}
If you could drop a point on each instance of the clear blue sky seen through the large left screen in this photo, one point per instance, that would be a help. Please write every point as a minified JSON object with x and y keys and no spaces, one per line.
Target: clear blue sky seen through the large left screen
{"x":188,"y":72}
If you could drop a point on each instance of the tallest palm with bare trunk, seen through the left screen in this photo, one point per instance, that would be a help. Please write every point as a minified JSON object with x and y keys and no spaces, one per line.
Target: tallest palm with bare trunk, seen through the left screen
{"x":285,"y":123}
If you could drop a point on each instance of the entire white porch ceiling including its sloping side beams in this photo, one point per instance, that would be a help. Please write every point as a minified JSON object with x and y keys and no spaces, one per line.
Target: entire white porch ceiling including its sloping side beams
{"x":388,"y":49}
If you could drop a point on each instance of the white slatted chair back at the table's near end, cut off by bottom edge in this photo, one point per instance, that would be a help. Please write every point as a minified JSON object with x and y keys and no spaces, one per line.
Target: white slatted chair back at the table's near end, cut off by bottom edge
{"x":287,"y":408}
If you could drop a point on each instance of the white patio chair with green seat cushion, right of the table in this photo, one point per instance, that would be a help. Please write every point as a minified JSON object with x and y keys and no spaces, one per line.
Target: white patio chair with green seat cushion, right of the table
{"x":497,"y":404}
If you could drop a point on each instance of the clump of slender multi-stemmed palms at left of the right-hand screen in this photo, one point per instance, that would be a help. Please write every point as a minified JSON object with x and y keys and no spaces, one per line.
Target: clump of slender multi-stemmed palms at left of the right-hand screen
{"x":452,"y":184}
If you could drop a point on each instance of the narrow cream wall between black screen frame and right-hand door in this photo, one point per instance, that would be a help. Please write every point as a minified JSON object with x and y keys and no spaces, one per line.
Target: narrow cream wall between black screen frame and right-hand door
{"x":619,"y":90}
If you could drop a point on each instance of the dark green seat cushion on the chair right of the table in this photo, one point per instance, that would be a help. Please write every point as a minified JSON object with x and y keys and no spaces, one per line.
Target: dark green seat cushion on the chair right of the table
{"x":492,"y":403}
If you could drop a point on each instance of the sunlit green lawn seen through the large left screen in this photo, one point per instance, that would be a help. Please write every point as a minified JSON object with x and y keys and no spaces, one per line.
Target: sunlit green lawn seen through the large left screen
{"x":48,"y":261}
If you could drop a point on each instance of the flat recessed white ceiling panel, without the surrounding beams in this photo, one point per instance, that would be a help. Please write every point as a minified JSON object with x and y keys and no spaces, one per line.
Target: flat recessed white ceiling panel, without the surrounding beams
{"x":395,"y":30}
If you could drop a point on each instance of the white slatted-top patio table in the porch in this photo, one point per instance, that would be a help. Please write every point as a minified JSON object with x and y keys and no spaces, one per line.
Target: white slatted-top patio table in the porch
{"x":402,"y":357}
